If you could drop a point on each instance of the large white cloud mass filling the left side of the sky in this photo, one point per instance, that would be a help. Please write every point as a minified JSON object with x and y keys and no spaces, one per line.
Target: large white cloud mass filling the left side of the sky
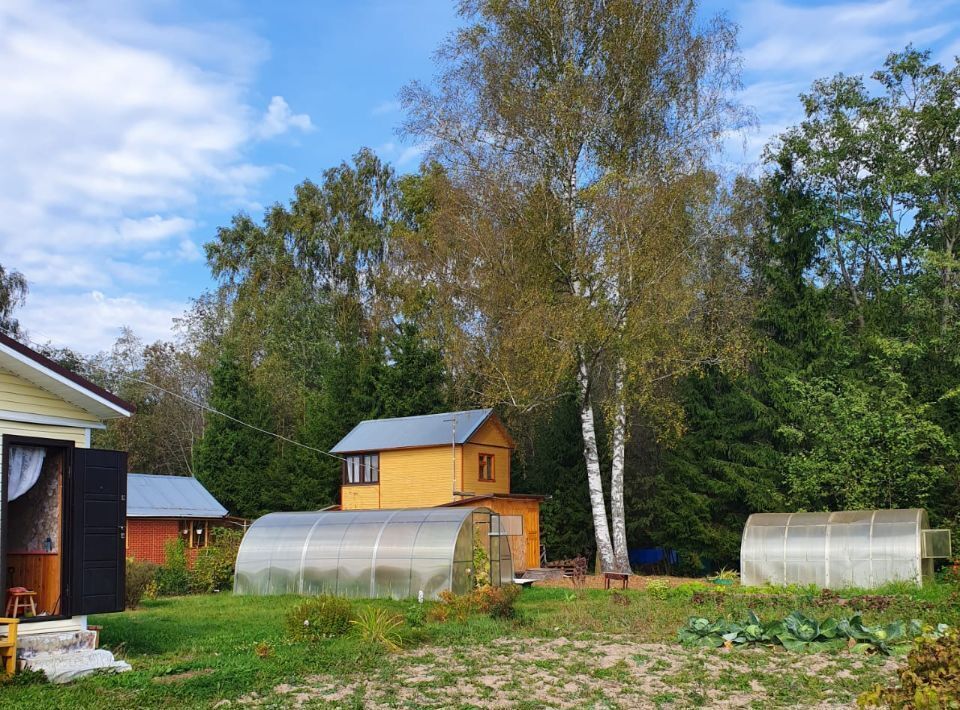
{"x":114,"y":129}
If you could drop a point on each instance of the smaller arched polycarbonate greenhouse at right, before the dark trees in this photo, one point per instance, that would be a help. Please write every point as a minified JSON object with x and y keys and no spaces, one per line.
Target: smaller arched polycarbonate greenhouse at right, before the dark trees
{"x":861,"y":548}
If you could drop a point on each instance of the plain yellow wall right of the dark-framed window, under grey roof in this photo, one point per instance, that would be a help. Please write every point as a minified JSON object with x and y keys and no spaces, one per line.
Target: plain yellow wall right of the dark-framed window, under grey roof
{"x":417,"y":478}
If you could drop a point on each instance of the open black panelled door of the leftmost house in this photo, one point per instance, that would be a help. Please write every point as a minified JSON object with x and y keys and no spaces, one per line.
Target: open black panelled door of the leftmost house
{"x":99,"y":531}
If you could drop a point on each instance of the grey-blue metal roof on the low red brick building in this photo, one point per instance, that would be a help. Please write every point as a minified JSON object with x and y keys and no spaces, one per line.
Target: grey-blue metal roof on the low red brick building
{"x":153,"y":496}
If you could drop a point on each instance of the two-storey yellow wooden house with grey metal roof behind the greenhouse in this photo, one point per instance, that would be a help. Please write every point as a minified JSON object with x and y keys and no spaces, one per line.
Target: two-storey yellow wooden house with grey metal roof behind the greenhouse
{"x":453,"y":458}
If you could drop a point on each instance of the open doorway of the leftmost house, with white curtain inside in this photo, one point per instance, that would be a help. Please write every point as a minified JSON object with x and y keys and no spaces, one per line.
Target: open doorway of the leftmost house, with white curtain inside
{"x":33,"y":522}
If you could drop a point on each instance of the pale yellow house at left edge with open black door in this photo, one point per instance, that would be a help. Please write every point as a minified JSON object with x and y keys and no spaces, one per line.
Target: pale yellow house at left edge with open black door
{"x":62,"y":505}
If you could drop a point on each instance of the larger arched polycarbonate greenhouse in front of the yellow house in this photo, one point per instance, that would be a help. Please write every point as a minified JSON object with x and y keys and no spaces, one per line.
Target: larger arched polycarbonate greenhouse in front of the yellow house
{"x":371,"y":553}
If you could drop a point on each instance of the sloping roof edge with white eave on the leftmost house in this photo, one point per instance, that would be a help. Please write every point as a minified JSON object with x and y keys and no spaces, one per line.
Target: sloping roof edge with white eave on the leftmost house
{"x":43,"y":372}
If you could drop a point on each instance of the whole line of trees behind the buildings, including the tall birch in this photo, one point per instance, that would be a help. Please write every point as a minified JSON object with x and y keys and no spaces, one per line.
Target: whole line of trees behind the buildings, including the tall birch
{"x":672,"y":348}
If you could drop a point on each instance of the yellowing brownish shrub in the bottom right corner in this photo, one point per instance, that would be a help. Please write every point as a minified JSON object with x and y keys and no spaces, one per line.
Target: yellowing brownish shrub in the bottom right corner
{"x":930,"y":680}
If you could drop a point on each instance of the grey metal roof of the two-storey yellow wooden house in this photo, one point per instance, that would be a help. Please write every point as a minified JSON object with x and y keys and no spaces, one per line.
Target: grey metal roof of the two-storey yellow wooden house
{"x":404,"y":432}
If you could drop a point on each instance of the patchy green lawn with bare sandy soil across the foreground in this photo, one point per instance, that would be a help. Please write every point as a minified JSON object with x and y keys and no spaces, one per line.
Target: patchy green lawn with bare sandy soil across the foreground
{"x":598,"y":649}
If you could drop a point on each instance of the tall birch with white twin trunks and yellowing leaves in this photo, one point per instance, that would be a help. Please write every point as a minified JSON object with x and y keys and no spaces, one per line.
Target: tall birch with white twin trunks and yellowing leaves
{"x":574,"y":234}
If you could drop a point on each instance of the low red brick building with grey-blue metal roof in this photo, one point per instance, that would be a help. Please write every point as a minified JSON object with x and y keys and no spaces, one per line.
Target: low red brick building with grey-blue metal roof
{"x":164,"y":508}
